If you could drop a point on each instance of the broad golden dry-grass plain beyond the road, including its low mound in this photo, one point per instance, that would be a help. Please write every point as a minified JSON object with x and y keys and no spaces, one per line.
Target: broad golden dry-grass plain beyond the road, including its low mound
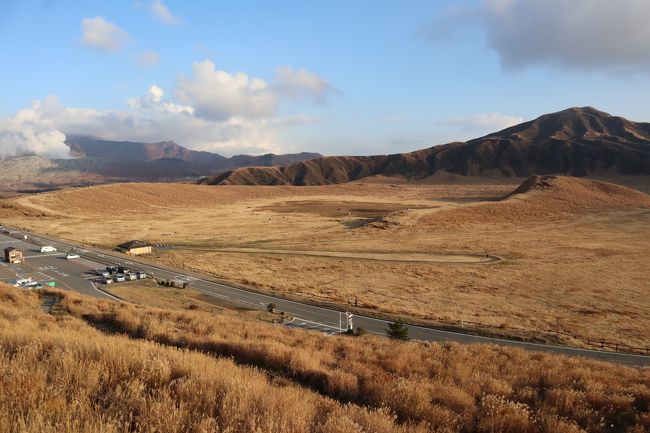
{"x":574,"y":261}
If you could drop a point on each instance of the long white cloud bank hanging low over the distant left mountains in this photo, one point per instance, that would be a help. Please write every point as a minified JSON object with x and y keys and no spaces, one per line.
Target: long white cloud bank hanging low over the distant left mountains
{"x":210,"y":110}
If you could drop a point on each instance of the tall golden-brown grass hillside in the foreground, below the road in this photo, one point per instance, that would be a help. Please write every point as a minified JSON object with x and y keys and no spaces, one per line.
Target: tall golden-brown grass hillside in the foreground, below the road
{"x":107,"y":367}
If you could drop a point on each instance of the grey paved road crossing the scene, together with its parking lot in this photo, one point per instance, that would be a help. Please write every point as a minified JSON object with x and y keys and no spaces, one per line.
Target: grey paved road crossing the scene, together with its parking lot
{"x":71,"y":274}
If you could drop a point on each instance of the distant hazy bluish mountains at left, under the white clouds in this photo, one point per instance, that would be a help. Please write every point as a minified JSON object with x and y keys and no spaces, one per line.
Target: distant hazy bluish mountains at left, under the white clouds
{"x":101,"y":161}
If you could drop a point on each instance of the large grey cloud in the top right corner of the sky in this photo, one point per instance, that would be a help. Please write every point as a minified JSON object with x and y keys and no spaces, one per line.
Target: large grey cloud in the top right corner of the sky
{"x":585,"y":34}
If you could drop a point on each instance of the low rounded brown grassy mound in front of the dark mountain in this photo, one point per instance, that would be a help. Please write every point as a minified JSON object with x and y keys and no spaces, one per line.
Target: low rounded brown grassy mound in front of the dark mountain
{"x":544,"y":197}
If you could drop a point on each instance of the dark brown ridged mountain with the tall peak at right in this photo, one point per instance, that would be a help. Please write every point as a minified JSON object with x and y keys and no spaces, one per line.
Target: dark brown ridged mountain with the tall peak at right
{"x":576,"y":141}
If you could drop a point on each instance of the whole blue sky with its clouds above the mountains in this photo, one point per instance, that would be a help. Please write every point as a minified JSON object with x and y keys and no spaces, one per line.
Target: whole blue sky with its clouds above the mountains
{"x":353,"y":77}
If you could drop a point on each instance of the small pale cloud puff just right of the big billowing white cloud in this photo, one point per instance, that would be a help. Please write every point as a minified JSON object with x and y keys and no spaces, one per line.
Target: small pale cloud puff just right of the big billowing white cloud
{"x":300,"y":83}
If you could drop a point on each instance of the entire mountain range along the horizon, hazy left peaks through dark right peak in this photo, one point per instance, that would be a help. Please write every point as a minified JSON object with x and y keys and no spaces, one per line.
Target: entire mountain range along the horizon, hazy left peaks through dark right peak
{"x":576,"y":141}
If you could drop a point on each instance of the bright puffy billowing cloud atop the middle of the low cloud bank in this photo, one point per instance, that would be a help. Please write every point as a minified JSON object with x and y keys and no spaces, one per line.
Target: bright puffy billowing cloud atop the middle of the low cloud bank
{"x":219,"y":95}
